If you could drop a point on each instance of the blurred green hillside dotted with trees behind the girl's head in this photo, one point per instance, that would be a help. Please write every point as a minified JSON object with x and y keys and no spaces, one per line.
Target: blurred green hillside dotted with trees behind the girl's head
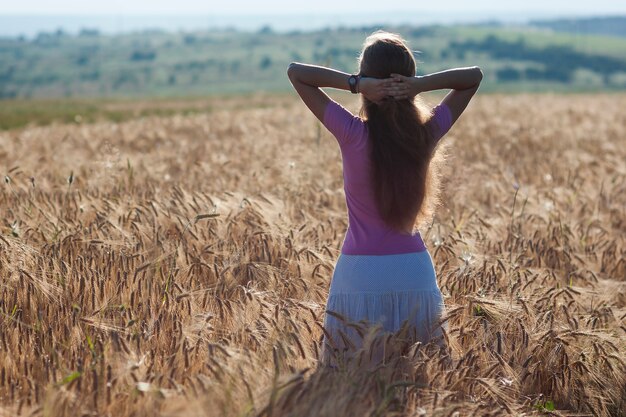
{"x":181,"y":64}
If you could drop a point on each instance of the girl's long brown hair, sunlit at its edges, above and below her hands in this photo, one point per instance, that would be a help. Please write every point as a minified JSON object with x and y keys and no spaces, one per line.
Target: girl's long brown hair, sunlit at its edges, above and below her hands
{"x":403,"y":177}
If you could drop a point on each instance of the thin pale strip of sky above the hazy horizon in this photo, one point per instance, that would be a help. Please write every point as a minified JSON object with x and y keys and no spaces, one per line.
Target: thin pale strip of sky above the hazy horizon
{"x":565,"y":7}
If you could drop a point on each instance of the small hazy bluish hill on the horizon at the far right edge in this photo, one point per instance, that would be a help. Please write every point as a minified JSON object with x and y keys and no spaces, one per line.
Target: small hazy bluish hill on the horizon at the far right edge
{"x":611,"y":26}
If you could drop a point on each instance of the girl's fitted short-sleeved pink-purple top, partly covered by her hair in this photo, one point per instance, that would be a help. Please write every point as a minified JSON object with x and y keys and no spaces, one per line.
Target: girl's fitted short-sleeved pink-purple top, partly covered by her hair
{"x":367,"y":234}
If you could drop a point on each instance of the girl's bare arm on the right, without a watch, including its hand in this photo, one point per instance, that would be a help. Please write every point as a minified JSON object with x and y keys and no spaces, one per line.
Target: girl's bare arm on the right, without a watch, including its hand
{"x":464,"y":83}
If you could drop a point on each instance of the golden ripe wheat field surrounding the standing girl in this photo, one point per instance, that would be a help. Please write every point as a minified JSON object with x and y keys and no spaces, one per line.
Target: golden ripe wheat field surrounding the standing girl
{"x":179,"y":266}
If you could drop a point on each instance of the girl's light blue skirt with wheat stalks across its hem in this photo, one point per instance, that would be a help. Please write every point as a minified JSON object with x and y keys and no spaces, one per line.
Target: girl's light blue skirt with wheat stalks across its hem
{"x":382,"y":292}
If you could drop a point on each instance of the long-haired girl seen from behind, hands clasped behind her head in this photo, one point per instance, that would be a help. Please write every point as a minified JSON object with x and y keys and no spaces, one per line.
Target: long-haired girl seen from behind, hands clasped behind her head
{"x":384,"y":274}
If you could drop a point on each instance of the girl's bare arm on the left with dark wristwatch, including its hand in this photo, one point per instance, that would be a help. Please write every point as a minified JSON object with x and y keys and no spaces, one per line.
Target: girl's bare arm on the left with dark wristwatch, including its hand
{"x":308,"y":79}
